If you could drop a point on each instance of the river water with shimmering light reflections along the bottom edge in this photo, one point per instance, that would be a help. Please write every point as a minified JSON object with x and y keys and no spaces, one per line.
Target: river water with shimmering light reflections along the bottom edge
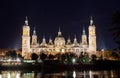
{"x":63,"y":74}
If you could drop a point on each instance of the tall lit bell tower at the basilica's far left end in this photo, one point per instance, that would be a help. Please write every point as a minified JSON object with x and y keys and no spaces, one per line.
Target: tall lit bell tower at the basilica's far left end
{"x":25,"y":39}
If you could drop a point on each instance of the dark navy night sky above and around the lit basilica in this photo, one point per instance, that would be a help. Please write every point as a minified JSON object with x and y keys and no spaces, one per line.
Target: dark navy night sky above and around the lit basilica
{"x":48,"y":16}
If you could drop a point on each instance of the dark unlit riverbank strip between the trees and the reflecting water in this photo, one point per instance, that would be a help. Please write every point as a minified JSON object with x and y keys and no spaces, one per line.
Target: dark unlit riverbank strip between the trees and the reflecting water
{"x":48,"y":66}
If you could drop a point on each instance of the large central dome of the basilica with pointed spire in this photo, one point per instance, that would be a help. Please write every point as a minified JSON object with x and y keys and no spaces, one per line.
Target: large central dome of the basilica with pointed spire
{"x":59,"y":40}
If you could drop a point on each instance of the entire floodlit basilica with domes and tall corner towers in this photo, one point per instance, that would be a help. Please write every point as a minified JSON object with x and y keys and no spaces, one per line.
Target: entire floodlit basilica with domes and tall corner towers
{"x":59,"y":44}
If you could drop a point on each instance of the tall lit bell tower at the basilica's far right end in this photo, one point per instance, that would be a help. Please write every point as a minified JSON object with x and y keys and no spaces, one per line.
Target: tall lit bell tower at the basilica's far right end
{"x":92,"y":36}
